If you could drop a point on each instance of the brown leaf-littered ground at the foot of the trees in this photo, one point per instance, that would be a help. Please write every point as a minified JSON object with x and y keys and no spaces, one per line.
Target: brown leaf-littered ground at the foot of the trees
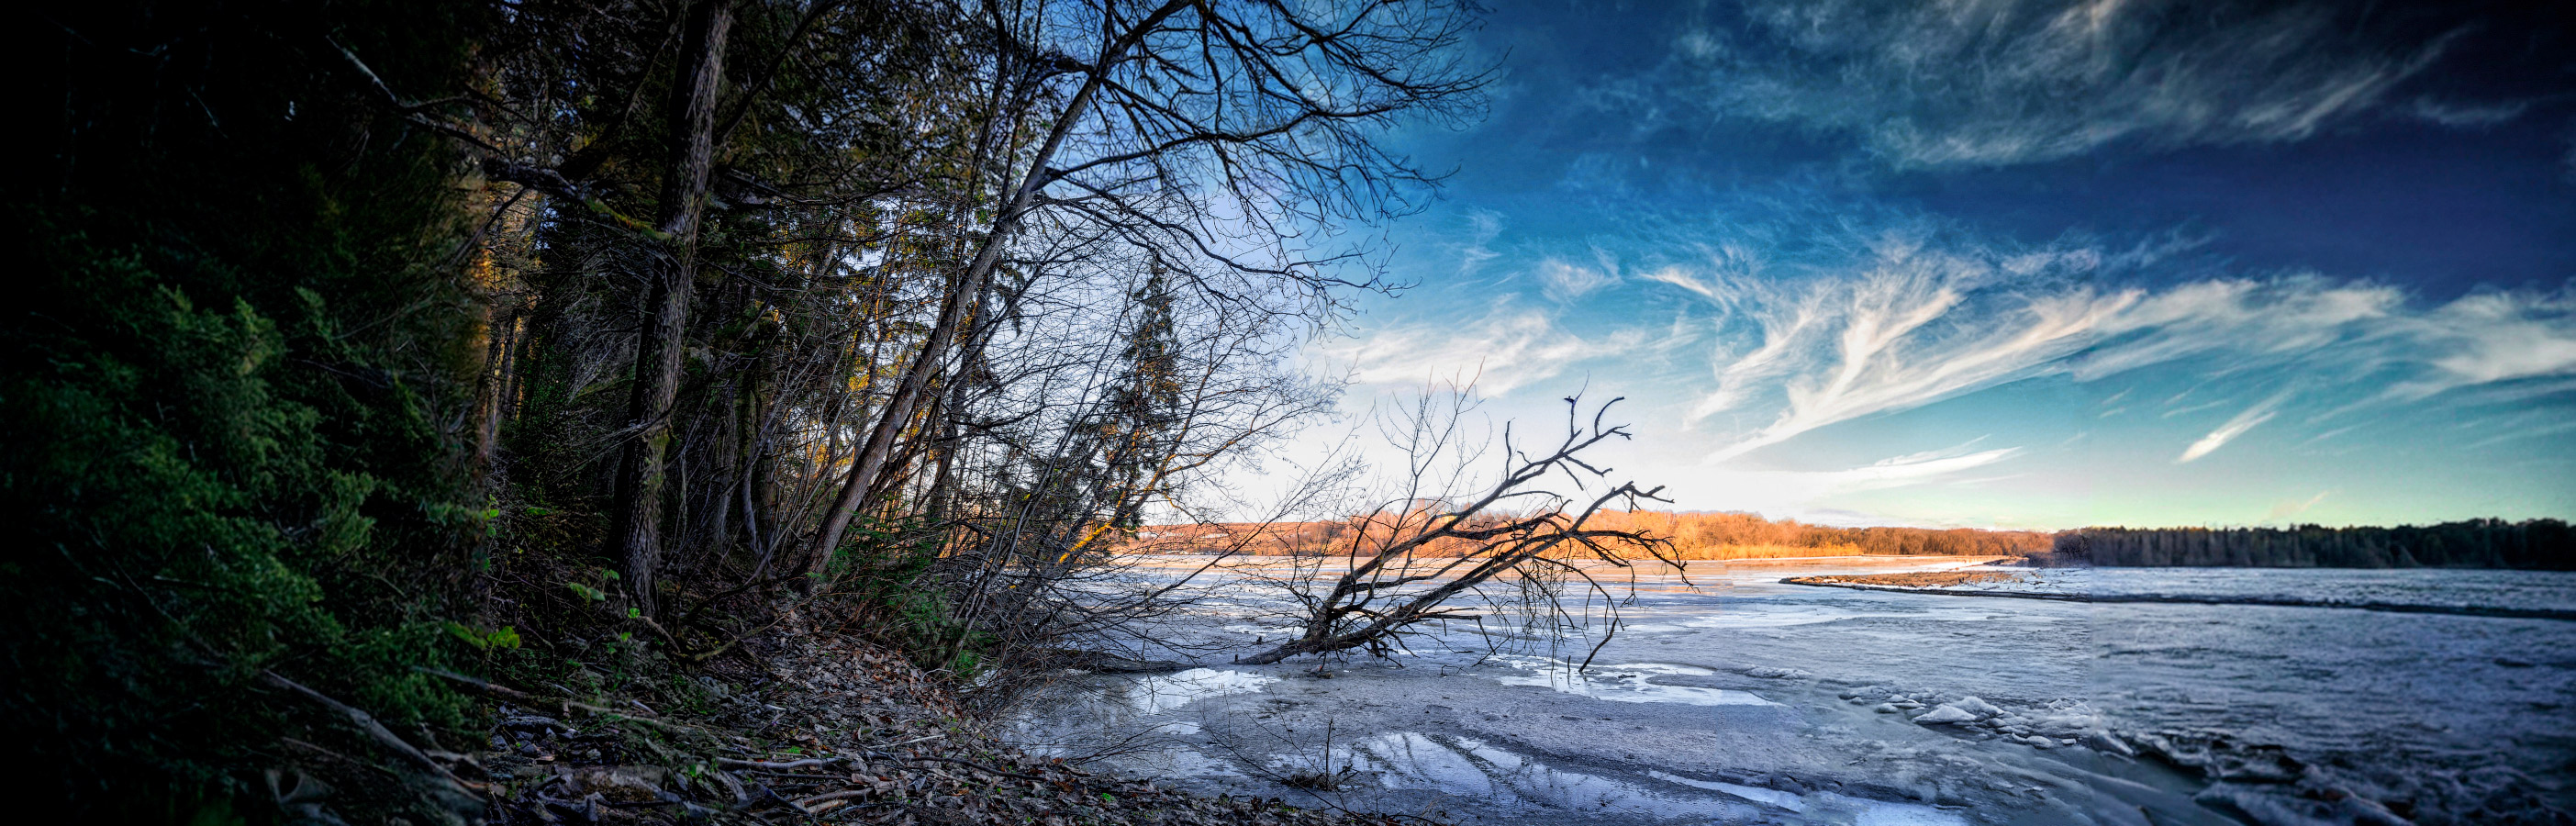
{"x":813,"y":730}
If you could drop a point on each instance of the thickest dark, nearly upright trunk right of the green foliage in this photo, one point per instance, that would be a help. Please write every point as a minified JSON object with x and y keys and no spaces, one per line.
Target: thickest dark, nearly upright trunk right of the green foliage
{"x":666,"y":313}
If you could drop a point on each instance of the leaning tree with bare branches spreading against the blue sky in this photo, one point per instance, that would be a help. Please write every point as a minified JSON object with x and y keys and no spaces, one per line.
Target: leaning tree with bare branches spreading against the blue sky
{"x":1222,"y":143}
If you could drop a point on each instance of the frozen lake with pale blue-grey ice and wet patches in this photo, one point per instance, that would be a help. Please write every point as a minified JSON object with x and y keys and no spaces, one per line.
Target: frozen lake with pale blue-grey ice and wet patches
{"x":1750,"y":701}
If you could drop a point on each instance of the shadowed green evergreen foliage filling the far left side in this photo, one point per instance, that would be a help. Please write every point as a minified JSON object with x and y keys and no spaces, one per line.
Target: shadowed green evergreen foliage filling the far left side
{"x":220,"y":387}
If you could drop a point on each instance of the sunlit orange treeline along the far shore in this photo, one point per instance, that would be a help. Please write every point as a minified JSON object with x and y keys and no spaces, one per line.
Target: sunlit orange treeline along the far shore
{"x":1691,"y":537}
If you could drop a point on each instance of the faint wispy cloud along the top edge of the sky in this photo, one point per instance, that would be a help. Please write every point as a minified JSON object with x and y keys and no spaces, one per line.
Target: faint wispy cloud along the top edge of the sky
{"x":2026,"y":81}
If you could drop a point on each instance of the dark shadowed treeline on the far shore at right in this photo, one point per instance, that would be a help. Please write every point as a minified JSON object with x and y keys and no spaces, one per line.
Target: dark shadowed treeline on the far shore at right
{"x":2474,"y":544}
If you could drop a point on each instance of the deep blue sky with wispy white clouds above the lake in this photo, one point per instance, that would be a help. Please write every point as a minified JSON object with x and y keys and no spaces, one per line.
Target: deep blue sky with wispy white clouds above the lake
{"x":2008,"y":264}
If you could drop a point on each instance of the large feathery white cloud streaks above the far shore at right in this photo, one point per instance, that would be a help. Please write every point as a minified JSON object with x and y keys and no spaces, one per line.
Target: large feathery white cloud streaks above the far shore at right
{"x":1910,"y":318}
